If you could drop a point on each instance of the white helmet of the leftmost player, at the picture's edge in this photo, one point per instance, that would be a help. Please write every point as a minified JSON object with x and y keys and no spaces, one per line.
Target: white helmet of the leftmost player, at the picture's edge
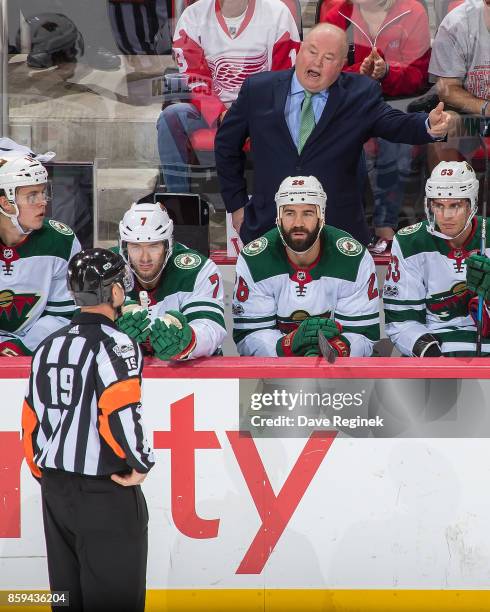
{"x":19,"y":170}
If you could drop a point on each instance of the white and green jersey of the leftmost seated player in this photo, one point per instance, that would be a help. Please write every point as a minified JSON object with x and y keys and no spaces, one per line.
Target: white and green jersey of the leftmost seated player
{"x":34,"y":298}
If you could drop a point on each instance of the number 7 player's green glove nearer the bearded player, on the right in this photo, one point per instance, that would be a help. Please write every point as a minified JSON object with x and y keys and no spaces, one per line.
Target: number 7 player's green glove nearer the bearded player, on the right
{"x":172,"y":337}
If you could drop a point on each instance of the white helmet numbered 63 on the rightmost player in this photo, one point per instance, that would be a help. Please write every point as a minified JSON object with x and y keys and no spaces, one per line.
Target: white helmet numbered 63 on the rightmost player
{"x":451,"y":180}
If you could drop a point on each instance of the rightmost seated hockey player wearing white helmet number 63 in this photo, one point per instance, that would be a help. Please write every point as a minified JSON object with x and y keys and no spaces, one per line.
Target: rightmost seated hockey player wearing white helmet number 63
{"x":429,"y":307}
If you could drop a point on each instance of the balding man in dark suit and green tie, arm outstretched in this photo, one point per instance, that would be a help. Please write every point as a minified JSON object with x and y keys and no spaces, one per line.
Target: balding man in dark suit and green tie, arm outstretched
{"x":324,"y":138}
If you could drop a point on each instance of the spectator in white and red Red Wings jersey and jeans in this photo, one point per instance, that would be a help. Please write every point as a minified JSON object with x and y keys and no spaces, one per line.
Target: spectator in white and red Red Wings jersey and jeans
{"x":217,"y":45}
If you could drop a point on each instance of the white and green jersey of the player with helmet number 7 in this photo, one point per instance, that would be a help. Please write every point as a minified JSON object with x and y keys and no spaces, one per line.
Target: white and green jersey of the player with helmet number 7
{"x":192,"y":285}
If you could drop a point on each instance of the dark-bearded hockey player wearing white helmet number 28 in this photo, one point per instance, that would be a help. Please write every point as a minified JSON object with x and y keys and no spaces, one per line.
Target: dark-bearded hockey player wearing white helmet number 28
{"x":304,"y":277}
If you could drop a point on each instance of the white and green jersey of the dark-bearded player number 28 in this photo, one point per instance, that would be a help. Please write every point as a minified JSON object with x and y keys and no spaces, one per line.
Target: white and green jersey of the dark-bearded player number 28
{"x":272,"y":295}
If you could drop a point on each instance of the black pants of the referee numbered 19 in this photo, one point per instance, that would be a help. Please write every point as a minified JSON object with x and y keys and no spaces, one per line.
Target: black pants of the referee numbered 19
{"x":97,"y":541}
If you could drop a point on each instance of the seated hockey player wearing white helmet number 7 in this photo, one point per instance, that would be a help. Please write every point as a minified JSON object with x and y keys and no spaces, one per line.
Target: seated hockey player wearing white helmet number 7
{"x":177,"y":310}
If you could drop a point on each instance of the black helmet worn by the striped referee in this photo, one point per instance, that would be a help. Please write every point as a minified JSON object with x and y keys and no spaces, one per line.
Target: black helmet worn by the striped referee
{"x":91,"y":274}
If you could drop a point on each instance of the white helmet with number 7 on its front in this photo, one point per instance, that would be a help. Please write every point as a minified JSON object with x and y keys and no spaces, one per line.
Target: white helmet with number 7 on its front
{"x":146,"y":222}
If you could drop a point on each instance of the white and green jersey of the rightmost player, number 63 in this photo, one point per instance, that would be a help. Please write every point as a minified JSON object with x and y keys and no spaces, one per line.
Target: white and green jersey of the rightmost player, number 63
{"x":425,"y":291}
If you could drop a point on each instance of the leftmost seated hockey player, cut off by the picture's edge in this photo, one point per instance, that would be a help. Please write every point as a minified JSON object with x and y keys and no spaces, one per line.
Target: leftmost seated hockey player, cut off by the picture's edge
{"x":34,"y":255}
